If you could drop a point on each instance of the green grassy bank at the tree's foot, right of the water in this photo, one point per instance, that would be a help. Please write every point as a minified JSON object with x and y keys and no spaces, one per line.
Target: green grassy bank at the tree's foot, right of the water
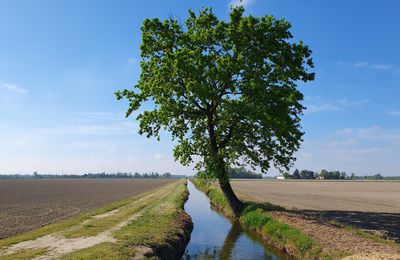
{"x":278,"y":234}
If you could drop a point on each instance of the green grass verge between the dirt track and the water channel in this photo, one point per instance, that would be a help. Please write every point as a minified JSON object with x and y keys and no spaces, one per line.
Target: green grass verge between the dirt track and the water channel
{"x":153,"y":229}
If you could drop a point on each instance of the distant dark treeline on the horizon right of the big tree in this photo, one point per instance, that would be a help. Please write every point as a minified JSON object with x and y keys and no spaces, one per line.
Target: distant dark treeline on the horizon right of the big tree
{"x":334,"y":175}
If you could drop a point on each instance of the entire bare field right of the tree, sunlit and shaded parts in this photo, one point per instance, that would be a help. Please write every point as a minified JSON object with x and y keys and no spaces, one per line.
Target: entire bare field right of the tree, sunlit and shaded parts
{"x":373,"y":206}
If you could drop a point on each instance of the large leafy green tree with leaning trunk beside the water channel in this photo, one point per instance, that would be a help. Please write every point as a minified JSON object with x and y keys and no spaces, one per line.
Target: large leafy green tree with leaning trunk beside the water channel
{"x":225,"y":90}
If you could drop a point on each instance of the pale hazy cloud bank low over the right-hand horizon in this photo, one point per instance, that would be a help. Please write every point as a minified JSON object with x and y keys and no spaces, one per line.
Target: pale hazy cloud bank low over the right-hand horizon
{"x":364,"y":151}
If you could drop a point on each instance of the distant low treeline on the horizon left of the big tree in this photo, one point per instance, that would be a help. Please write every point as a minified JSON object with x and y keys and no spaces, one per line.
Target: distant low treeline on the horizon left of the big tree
{"x":102,"y":175}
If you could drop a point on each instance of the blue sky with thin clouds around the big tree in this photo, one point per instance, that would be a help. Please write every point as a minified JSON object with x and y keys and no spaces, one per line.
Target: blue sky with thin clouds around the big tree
{"x":61,"y":62}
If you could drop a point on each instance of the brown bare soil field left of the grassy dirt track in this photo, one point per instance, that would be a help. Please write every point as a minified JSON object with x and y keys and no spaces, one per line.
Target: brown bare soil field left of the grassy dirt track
{"x":28,"y":204}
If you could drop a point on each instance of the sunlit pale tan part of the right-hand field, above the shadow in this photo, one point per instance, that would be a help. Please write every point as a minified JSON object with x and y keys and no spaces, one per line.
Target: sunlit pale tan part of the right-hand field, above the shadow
{"x":369,"y":196}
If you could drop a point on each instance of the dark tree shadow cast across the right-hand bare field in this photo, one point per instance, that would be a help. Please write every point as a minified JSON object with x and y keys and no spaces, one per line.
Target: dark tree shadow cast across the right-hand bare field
{"x":386,"y":225}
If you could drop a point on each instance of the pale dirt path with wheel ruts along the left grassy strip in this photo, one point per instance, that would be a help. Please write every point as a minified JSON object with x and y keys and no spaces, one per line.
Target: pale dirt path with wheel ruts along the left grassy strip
{"x":58,"y":244}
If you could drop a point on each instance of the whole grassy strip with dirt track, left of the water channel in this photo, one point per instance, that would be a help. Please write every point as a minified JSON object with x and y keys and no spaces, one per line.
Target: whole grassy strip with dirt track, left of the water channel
{"x":153,"y":224}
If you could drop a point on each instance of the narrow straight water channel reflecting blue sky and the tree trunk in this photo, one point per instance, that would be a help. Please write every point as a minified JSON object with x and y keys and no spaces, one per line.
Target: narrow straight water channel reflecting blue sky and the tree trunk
{"x":216,"y":237}
